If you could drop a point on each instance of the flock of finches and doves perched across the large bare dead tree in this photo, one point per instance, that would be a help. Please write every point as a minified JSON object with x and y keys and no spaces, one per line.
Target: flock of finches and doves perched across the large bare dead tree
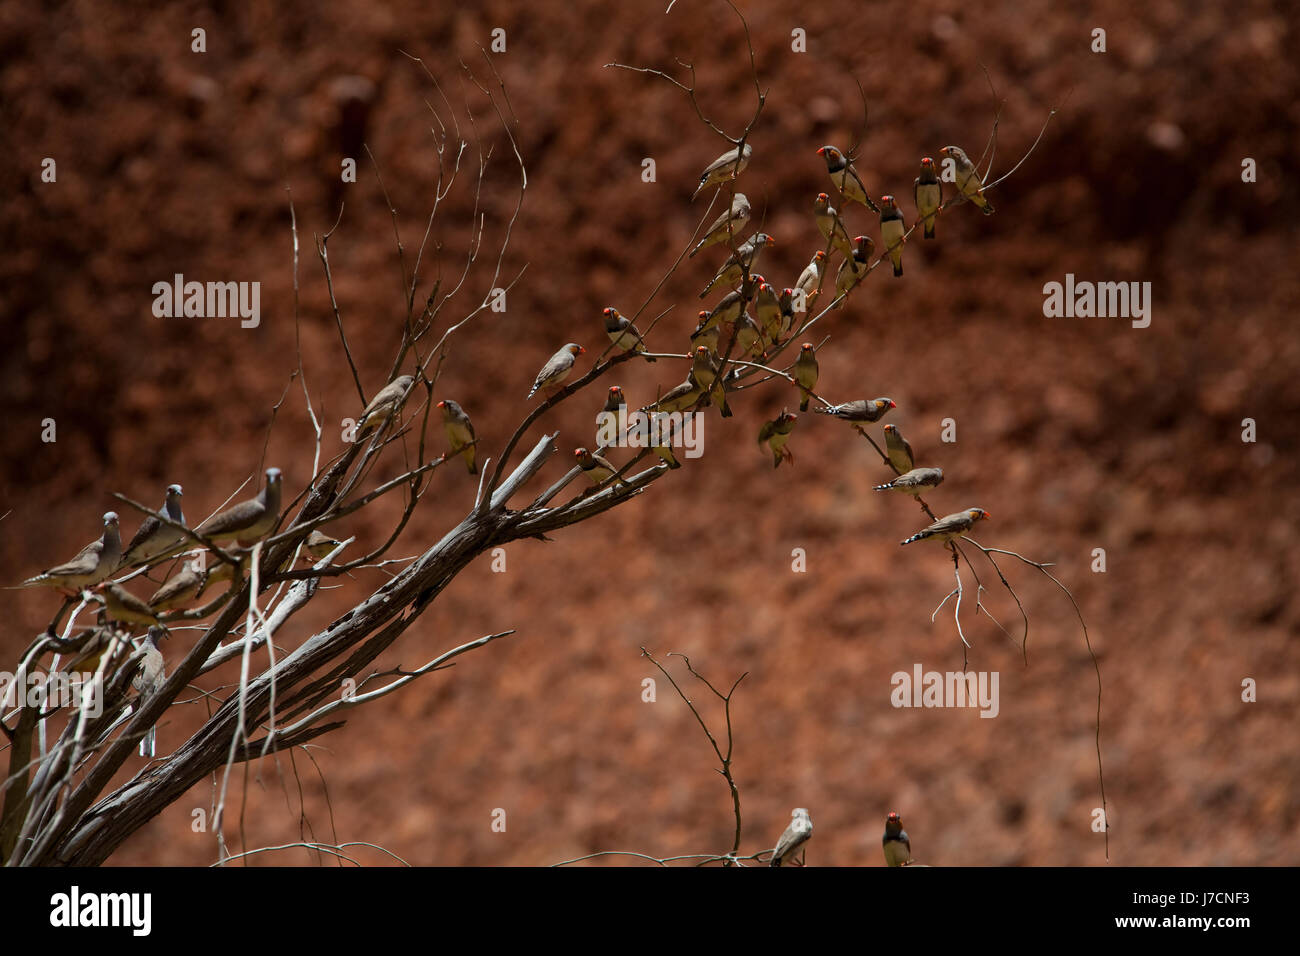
{"x":164,"y":537}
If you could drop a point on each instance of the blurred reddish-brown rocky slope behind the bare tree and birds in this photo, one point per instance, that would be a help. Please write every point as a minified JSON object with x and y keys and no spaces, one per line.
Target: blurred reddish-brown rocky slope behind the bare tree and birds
{"x":1076,"y":434}
